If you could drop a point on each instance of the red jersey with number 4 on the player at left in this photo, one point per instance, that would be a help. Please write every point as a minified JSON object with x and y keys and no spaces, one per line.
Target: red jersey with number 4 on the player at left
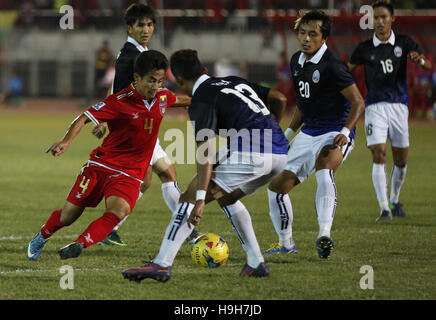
{"x":133,"y":124}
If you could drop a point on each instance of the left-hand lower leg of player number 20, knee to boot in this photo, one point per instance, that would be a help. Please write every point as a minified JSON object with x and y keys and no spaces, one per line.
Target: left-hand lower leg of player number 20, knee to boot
{"x":281,"y":213}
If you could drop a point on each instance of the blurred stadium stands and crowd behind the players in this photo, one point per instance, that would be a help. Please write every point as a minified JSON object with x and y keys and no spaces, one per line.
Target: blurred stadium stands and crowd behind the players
{"x":257,"y":34}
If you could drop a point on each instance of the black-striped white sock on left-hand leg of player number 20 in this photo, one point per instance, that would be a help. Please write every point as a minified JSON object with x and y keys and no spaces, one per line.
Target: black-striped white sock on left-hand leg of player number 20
{"x":281,"y":216}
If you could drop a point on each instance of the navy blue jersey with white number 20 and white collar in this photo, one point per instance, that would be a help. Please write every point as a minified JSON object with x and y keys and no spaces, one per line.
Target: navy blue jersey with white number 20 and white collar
{"x":319,"y":82}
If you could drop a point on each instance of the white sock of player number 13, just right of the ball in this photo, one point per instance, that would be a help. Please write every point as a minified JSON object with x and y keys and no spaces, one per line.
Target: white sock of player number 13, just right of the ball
{"x":241,"y":222}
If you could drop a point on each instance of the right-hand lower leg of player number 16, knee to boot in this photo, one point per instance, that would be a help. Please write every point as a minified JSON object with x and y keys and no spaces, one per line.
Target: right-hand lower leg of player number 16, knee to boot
{"x":398,"y":177}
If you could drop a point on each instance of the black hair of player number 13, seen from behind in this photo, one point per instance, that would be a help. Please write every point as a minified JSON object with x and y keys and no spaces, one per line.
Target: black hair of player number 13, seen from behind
{"x":185,"y":63}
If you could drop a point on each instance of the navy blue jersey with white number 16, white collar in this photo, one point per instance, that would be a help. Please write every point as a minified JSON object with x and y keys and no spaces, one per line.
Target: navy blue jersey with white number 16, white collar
{"x":385,"y":68}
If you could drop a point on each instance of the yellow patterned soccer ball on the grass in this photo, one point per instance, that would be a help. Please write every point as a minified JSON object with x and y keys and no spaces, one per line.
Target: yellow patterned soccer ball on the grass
{"x":210,"y":251}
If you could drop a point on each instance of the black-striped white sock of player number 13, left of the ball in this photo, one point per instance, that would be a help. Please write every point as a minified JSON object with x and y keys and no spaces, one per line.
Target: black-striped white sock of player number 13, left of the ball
{"x":176,"y":232}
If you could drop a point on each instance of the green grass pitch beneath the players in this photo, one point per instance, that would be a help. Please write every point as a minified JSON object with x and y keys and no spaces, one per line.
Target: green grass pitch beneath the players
{"x":402,"y":254}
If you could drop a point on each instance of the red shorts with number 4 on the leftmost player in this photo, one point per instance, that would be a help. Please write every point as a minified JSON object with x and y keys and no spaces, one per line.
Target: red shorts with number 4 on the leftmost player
{"x":94,"y":182}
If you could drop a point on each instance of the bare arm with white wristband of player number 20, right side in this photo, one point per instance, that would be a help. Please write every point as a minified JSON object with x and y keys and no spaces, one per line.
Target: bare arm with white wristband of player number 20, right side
{"x":352,"y":94}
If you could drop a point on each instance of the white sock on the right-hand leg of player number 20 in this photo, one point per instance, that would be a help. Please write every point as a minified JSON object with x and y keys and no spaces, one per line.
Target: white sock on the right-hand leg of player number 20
{"x":325,"y":200}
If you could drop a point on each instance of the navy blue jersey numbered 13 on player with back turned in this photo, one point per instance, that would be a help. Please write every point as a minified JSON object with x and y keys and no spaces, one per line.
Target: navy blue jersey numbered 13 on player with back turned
{"x":236,"y":109}
